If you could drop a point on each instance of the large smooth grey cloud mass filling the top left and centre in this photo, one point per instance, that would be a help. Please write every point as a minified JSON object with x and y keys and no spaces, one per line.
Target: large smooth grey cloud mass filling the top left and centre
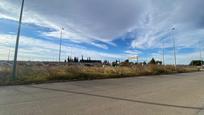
{"x":90,"y":19}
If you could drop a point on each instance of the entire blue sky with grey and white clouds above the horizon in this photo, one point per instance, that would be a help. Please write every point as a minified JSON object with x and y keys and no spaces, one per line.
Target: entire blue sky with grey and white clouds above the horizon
{"x":103,"y":29}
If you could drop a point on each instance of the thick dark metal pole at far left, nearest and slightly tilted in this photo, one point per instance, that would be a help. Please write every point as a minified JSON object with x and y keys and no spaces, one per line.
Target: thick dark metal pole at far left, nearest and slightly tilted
{"x":17,"y":42}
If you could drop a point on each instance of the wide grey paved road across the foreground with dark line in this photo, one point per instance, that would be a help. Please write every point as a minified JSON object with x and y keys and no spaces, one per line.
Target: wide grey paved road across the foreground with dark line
{"x":181,"y":94}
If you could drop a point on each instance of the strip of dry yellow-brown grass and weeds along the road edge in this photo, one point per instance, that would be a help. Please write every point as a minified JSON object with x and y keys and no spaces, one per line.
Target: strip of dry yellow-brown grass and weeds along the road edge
{"x":46,"y":73}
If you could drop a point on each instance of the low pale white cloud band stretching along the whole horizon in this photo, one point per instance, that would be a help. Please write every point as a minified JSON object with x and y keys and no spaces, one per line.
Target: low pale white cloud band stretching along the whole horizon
{"x":35,"y":49}
